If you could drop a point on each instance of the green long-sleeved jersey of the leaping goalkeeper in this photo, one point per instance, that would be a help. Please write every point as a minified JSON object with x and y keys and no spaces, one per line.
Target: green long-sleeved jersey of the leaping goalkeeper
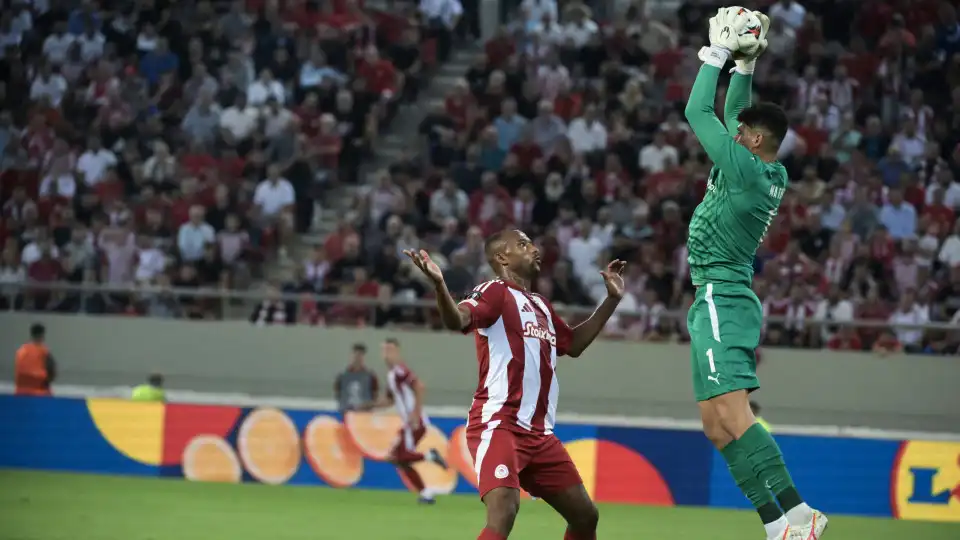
{"x":743,"y":192}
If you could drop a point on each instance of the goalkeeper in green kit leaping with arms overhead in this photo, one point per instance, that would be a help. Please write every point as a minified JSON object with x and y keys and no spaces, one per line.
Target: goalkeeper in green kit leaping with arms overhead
{"x":743,"y":194}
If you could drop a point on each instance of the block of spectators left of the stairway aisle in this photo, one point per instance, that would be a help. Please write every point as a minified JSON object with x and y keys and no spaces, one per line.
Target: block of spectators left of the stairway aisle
{"x":155,"y":142}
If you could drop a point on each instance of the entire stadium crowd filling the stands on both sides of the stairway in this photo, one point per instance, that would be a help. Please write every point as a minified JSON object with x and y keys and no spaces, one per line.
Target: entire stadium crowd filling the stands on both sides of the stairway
{"x":211,"y":143}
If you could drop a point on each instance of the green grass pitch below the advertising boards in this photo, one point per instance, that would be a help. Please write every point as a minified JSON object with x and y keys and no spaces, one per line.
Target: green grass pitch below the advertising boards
{"x":50,"y":506}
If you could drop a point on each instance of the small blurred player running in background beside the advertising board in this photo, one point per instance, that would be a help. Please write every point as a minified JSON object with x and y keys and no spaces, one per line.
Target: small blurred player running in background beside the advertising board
{"x":405,"y":393}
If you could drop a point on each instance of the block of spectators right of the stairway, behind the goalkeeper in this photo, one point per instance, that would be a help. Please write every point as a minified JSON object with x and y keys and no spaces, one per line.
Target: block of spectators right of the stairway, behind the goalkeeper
{"x":571,"y":129}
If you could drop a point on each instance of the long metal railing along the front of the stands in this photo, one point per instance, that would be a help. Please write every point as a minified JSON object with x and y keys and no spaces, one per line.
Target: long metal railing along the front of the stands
{"x":248,"y":299}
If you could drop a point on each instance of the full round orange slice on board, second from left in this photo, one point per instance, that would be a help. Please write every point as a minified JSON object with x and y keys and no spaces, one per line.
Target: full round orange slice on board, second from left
{"x":269,"y":446}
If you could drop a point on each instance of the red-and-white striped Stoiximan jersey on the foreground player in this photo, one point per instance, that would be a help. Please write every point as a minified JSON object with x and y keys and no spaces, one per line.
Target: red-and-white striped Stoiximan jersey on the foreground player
{"x":519,"y":338}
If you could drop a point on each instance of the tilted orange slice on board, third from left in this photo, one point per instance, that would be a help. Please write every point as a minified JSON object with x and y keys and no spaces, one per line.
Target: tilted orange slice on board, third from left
{"x":336,"y":463}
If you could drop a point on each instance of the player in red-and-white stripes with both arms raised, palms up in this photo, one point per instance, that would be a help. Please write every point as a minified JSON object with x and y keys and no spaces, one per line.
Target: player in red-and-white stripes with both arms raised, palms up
{"x":510,"y":425}
